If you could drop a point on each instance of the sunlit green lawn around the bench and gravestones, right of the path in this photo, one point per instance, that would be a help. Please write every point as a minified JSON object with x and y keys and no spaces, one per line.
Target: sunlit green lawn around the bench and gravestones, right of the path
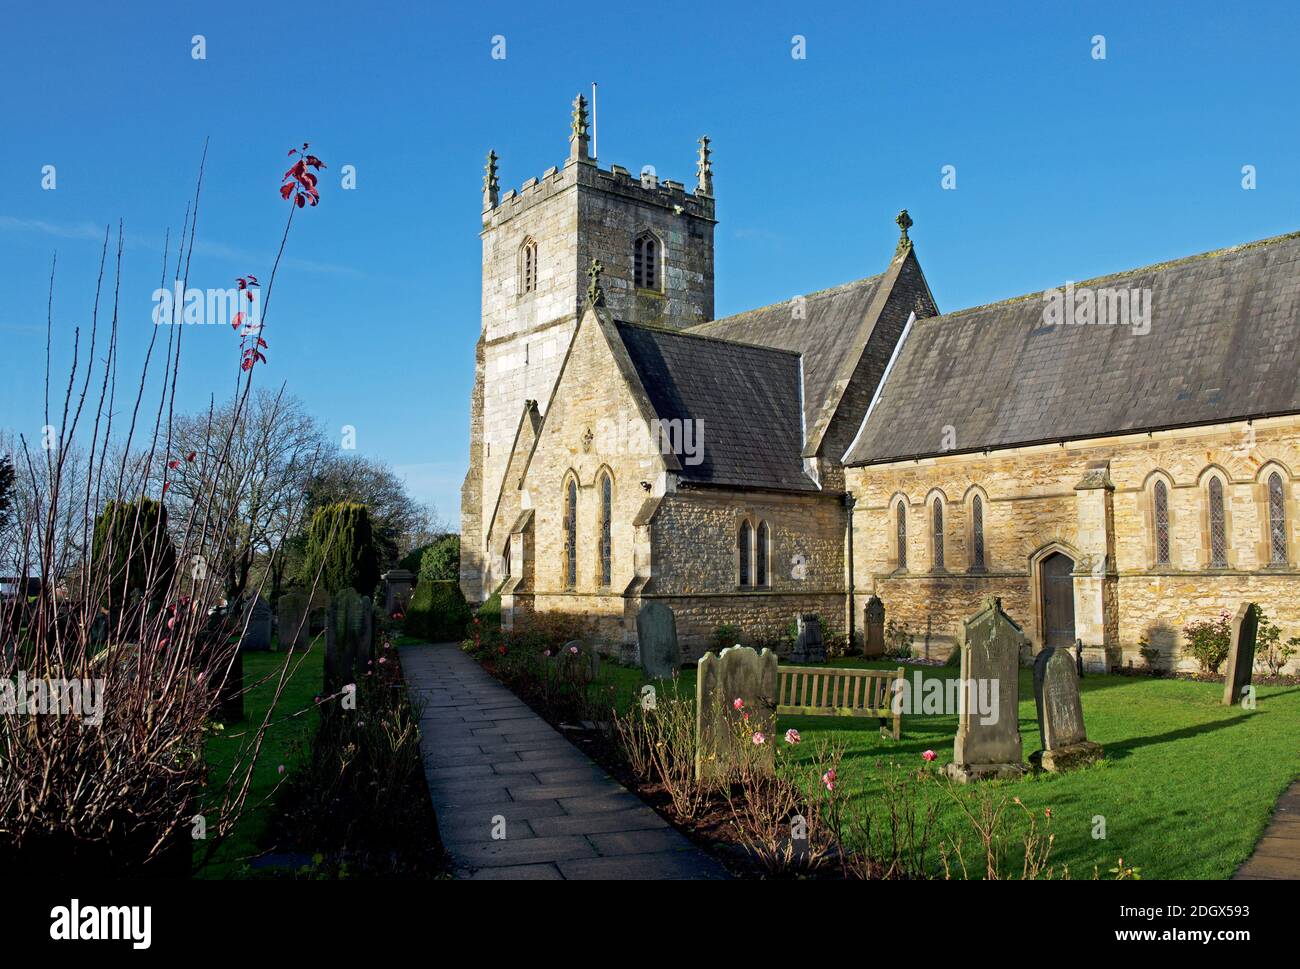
{"x":1186,"y":789}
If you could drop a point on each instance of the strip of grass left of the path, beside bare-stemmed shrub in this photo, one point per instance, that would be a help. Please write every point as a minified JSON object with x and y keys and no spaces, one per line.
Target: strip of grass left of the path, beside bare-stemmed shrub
{"x":285,"y":745}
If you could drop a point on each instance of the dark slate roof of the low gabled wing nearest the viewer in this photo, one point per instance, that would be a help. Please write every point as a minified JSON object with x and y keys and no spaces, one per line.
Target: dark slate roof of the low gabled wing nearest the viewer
{"x":746,"y":397}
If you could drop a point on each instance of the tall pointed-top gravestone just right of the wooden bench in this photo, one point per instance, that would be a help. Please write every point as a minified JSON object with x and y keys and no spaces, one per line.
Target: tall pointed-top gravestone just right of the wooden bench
{"x":989,"y":738}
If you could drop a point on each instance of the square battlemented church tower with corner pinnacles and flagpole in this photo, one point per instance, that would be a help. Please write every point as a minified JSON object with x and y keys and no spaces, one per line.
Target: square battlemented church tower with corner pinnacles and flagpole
{"x":656,"y":243}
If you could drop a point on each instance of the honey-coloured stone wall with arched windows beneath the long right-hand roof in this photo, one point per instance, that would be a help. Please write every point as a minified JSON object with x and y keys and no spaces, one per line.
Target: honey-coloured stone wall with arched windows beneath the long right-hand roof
{"x":1032,"y":507}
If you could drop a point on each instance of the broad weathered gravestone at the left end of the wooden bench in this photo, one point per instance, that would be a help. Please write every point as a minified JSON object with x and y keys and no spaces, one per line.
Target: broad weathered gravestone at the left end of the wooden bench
{"x":725,"y":738}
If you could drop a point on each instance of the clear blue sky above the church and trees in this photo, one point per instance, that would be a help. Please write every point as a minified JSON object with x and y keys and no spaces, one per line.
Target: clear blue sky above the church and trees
{"x":1067,"y":167}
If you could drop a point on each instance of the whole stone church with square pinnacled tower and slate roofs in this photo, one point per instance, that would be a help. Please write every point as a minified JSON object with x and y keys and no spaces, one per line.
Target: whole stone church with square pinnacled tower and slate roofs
{"x":1115,"y":460}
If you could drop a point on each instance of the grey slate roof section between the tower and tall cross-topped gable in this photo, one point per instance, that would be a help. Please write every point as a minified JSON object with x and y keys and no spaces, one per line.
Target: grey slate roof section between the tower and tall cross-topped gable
{"x":829,"y":332}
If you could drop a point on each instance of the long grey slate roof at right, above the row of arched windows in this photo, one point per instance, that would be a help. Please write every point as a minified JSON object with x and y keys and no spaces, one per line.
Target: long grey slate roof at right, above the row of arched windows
{"x":1224,"y":344}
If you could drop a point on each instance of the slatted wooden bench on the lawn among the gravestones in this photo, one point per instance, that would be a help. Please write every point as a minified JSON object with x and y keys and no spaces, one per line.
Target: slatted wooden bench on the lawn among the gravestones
{"x":822,"y":691}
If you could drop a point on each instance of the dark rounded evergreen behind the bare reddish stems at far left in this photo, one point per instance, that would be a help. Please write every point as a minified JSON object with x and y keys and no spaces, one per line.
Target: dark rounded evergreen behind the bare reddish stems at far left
{"x":133,"y":552}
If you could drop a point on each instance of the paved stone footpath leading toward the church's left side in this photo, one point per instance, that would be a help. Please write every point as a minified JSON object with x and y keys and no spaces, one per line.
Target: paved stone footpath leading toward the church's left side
{"x":489,"y":760}
